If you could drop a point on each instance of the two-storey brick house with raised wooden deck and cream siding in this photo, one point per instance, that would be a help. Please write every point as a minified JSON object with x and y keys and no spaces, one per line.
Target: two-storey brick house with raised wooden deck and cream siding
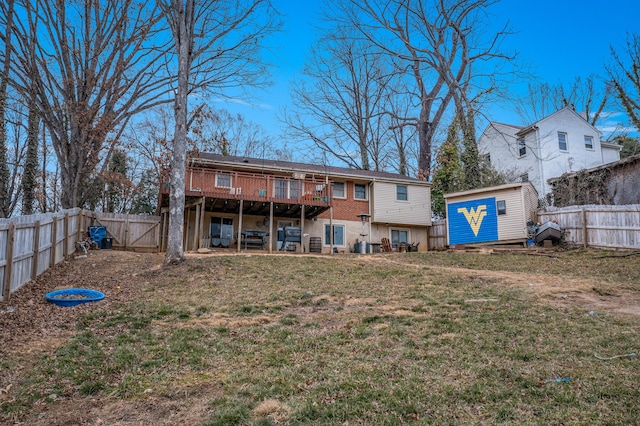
{"x":233,"y":202}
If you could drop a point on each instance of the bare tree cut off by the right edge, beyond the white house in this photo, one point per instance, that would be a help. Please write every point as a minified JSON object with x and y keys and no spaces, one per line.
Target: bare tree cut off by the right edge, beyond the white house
{"x":624,"y":74}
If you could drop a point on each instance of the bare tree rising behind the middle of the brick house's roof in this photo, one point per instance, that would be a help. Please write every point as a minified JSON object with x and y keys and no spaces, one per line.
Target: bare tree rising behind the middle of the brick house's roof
{"x":340,"y":100}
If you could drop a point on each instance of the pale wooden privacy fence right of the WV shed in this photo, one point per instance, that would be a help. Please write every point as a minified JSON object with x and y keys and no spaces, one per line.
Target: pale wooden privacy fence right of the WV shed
{"x":598,"y":226}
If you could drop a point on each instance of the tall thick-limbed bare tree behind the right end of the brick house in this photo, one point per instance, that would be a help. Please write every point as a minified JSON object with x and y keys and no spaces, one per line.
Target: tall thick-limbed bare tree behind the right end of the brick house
{"x":439,"y":44}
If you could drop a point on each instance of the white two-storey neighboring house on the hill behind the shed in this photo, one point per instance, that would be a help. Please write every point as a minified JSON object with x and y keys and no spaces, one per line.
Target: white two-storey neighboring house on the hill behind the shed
{"x":559,"y":143}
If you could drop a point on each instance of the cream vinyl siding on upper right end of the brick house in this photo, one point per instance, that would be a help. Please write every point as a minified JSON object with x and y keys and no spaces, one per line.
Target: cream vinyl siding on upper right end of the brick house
{"x":387,"y":209}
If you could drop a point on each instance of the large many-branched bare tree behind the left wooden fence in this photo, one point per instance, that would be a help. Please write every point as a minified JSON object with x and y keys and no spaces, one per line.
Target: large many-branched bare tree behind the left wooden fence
{"x":92,"y":66}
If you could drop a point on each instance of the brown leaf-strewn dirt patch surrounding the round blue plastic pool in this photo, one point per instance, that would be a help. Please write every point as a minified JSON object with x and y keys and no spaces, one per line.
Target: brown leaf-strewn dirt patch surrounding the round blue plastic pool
{"x":27,"y":319}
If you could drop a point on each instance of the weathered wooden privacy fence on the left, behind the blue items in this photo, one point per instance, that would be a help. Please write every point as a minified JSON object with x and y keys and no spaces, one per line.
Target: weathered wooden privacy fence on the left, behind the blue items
{"x":29,"y":245}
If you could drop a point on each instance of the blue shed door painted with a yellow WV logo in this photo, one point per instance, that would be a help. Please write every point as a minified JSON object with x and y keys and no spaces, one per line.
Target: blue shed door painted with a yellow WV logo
{"x":473,"y":221}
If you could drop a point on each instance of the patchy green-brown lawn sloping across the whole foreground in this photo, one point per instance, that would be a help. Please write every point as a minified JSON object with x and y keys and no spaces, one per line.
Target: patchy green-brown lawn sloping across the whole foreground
{"x":420,"y":338}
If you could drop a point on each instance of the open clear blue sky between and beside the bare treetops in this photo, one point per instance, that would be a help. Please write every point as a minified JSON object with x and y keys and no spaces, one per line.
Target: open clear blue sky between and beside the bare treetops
{"x":561,"y":39}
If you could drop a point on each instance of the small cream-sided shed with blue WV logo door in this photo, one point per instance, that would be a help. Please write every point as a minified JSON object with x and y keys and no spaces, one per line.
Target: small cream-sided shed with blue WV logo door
{"x":491,"y":215}
